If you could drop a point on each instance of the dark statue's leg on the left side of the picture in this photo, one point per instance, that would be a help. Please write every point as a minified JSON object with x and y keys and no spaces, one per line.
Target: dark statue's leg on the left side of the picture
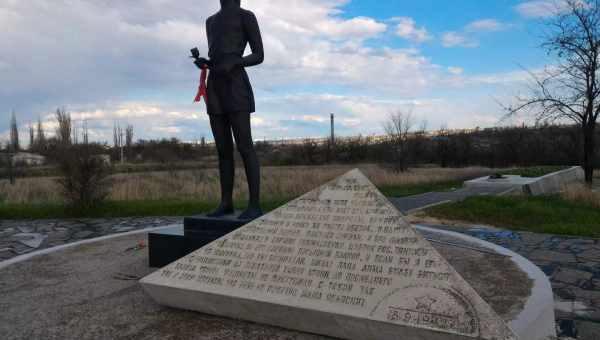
{"x":221,"y":128}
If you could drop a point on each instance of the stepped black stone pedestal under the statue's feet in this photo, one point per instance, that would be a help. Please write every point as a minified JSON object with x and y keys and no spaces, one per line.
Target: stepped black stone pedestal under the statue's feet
{"x":171,"y":244}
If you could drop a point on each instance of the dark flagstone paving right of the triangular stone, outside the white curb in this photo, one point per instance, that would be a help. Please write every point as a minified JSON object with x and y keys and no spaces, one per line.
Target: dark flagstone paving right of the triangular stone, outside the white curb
{"x":573,"y":266}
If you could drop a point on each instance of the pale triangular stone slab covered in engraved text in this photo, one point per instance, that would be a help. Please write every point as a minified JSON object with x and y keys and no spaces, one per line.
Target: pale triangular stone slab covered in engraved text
{"x":338,"y":261}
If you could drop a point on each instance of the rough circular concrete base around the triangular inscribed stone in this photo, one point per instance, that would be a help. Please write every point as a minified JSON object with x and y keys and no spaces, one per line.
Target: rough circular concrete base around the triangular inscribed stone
{"x":90,"y":292}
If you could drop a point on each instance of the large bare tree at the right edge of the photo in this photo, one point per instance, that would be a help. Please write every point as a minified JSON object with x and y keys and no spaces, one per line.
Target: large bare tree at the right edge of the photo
{"x":571,"y":89}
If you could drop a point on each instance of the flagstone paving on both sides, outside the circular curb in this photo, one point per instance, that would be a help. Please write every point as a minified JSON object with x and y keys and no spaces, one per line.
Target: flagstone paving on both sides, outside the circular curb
{"x":573,"y":264}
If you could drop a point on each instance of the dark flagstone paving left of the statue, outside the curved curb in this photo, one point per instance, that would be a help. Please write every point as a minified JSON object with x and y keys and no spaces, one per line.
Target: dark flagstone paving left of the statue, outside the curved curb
{"x":22,"y":237}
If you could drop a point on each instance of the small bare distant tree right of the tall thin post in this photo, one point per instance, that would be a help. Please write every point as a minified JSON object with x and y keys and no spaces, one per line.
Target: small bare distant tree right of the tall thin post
{"x":397,"y":129}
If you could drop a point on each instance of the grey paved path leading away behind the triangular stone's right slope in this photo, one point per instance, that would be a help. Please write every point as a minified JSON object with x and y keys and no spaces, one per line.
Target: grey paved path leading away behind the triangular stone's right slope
{"x":414,"y":203}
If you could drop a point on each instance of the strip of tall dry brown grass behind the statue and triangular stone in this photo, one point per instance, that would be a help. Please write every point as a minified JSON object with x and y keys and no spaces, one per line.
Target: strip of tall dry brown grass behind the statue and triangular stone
{"x":277,"y":182}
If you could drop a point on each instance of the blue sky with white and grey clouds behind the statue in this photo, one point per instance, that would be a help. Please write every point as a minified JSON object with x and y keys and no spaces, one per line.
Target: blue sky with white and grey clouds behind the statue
{"x":449,"y":62}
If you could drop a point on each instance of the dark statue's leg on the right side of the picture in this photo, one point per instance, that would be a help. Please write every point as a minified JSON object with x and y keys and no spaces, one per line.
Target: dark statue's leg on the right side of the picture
{"x":240,"y":123}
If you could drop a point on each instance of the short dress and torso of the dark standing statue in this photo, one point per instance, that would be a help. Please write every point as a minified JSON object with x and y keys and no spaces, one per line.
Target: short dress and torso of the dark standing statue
{"x":229,"y":31}
